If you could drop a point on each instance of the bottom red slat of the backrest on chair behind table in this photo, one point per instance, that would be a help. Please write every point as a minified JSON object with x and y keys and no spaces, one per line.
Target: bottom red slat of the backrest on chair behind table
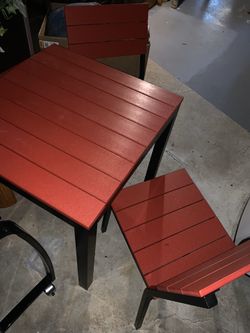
{"x":110,"y":48}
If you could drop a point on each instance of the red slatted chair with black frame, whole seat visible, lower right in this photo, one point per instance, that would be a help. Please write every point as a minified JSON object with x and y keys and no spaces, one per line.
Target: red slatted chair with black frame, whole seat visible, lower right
{"x":180,"y":247}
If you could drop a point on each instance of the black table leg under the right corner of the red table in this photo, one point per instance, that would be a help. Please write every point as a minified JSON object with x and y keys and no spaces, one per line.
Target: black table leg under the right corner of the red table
{"x":158,"y":151}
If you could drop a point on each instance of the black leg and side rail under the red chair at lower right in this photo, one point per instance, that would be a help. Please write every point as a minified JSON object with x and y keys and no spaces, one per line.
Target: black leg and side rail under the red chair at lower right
{"x":207,"y":302}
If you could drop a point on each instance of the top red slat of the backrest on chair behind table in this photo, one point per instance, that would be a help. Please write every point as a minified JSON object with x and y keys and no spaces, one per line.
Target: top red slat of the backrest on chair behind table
{"x":116,"y":13}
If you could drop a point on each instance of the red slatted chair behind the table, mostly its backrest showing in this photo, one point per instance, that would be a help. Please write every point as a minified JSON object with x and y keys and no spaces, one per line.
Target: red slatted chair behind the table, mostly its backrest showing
{"x":108,"y":30}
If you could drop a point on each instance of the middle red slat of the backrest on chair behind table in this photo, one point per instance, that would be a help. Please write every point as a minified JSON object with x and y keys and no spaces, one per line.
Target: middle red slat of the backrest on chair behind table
{"x":106,"y":32}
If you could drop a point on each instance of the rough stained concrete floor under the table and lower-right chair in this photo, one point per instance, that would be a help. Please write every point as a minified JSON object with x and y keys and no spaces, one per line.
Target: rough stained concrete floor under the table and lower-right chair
{"x":216,"y":152}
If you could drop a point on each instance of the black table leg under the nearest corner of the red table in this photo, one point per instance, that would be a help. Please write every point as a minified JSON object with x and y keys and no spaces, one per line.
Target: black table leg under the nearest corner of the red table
{"x":85,"y":254}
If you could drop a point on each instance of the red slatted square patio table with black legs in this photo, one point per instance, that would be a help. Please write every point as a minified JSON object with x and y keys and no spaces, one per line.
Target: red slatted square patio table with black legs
{"x":72,"y":132}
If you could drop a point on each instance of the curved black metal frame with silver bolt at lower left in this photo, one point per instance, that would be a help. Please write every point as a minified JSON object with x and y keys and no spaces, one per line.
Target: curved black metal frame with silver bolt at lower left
{"x":45,"y":285}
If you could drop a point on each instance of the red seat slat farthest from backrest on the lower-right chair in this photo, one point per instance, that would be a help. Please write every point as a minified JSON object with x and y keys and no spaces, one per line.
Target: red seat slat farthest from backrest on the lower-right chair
{"x":133,"y":195}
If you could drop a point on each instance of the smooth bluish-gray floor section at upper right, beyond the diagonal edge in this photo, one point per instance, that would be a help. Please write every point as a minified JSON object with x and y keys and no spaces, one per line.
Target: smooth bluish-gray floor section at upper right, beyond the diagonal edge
{"x":206,"y":44}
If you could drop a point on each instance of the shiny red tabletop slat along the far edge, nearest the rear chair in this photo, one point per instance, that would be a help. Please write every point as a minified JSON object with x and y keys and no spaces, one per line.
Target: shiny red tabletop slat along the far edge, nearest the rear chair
{"x":141,"y":86}
